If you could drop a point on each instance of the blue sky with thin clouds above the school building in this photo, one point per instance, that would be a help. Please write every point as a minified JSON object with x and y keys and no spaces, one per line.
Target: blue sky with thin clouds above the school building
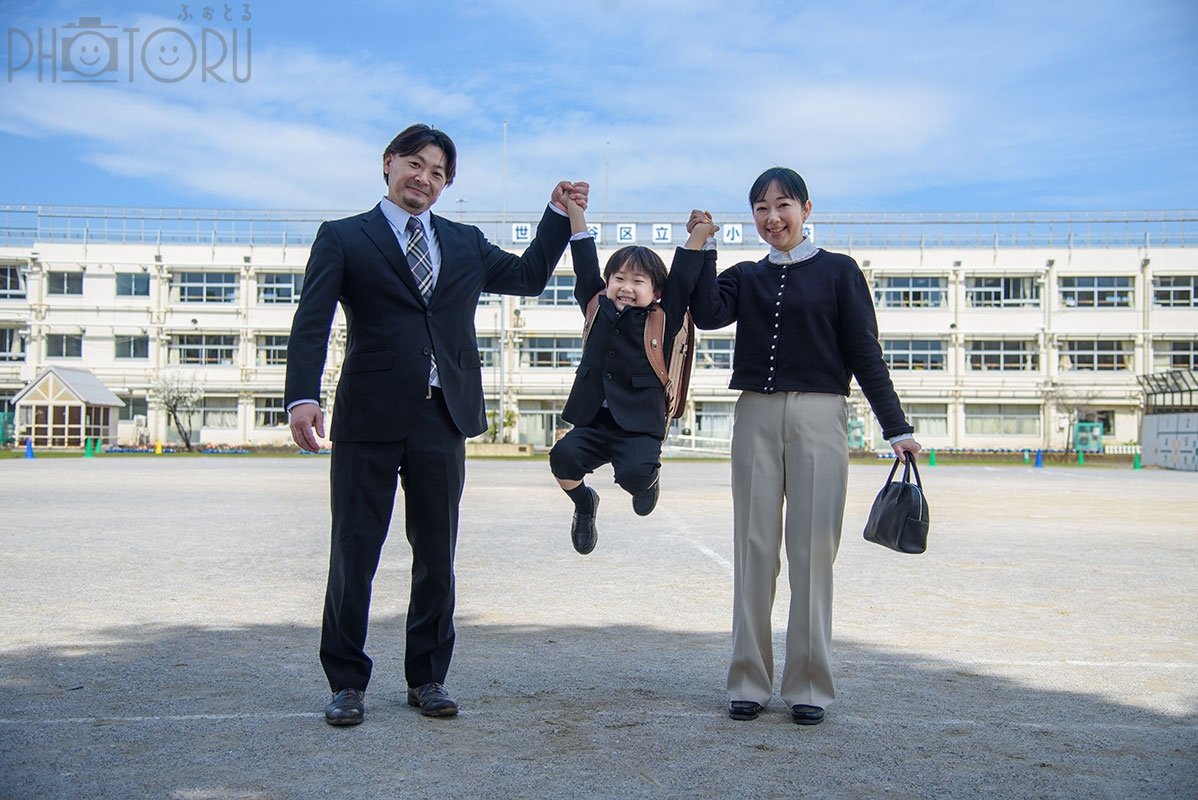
{"x":661,"y":106}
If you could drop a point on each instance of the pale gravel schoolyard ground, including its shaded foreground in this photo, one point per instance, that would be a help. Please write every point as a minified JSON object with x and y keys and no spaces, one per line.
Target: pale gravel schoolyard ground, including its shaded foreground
{"x":161,"y":621}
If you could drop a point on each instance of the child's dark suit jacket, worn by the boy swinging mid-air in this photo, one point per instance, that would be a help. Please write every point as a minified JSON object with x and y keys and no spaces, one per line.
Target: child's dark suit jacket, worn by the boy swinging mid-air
{"x":615,"y":366}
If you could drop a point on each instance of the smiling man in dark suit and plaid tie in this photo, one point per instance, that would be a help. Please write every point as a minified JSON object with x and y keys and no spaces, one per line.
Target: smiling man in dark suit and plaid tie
{"x":409,"y":395}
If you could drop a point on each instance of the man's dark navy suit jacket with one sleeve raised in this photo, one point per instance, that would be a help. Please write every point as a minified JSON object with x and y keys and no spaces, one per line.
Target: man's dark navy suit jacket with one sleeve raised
{"x":394,"y":332}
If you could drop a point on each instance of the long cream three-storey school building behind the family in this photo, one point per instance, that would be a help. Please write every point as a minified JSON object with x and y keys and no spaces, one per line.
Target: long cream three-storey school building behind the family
{"x":1001,"y":330}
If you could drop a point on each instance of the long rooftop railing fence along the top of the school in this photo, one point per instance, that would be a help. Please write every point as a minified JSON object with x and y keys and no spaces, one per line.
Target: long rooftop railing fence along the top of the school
{"x":25,"y":226}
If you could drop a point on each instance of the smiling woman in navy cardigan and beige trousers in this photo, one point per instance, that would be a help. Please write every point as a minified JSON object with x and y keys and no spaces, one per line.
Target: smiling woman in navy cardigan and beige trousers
{"x":806,"y":326}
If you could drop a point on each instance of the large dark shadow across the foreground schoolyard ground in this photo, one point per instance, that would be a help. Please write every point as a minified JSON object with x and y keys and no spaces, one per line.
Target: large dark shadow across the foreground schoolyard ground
{"x":606,"y":712}
